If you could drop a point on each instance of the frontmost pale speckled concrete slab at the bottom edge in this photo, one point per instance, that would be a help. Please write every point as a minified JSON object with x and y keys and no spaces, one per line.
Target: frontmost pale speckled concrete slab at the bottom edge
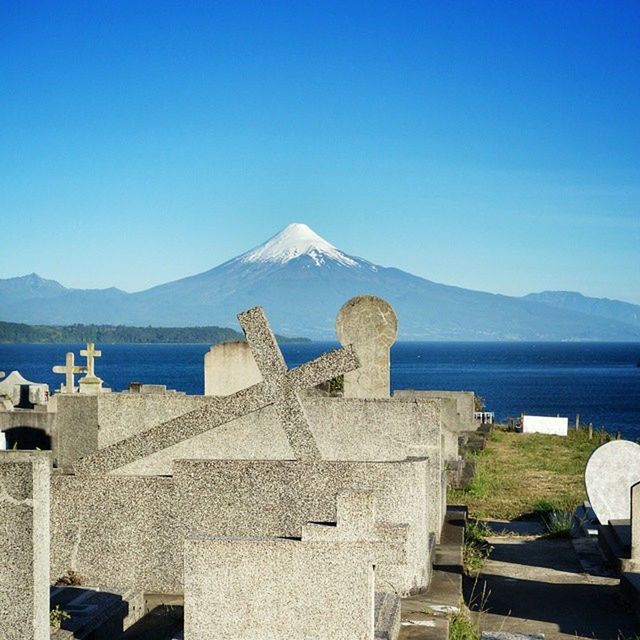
{"x":267,"y":589}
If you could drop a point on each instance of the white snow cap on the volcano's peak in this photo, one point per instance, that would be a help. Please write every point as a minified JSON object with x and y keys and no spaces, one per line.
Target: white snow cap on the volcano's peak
{"x":293,"y":241}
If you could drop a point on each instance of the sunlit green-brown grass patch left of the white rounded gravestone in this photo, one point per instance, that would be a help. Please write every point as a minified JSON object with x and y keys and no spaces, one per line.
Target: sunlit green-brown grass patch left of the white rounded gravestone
{"x":518,"y":474}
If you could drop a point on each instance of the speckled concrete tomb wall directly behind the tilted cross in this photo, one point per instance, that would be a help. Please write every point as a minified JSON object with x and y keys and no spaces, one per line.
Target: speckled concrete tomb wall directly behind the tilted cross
{"x":344,"y":429}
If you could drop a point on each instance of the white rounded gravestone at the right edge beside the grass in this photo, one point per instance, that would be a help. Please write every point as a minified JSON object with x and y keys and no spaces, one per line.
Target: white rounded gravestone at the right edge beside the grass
{"x":611,"y":471}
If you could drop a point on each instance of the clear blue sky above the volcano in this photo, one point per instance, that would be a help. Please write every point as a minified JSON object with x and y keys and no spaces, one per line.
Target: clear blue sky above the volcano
{"x":490,"y":145}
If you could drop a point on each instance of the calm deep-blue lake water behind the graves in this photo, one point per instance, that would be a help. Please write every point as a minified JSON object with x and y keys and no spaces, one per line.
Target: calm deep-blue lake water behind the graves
{"x":600,"y":381}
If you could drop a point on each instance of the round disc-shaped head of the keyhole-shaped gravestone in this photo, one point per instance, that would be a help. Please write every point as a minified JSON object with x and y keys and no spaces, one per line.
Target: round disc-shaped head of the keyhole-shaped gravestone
{"x":367,"y":319}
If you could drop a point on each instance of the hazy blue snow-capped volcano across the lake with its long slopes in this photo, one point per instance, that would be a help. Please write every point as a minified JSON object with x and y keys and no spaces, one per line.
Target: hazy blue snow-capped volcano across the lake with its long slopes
{"x":302,"y":280}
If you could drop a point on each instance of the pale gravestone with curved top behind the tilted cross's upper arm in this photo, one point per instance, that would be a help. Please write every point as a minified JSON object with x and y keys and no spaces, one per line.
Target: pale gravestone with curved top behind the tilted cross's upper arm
{"x":229,"y":367}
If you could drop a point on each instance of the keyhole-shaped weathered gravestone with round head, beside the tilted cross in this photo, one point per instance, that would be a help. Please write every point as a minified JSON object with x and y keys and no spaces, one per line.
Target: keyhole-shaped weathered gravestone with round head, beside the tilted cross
{"x":368,"y":323}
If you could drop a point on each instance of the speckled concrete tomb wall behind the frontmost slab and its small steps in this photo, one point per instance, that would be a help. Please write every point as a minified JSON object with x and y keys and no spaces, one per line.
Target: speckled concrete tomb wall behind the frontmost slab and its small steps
{"x":246,"y":499}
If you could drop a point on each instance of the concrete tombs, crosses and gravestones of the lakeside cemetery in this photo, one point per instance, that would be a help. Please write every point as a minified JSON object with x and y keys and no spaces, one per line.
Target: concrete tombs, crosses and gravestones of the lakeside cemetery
{"x":278,"y":505}
